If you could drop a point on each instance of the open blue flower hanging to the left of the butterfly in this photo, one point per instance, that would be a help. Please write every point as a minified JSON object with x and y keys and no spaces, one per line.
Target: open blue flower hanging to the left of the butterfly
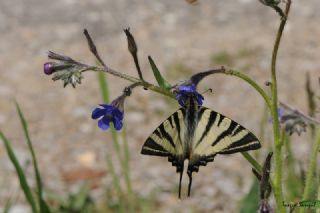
{"x":107,"y":114}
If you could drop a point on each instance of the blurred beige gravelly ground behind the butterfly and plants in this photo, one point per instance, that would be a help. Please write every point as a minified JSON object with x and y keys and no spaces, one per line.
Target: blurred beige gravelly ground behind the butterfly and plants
{"x":182,"y":39}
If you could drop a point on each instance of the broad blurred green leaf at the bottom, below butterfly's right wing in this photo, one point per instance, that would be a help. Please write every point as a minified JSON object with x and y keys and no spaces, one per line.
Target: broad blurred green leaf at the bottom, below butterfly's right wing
{"x":251,"y":201}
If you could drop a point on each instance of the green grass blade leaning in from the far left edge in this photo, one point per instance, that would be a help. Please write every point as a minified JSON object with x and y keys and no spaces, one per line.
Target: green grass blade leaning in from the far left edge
{"x":22,"y":178}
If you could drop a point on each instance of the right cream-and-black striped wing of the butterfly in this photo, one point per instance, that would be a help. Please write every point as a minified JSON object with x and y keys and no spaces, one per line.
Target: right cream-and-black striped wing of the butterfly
{"x":217,"y":134}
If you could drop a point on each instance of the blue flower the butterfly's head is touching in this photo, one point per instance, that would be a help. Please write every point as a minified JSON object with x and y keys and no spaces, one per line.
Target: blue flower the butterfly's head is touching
{"x":185,"y":91}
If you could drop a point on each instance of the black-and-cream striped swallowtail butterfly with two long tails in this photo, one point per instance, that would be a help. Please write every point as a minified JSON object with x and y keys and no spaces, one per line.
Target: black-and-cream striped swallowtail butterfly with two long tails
{"x":198,"y":134}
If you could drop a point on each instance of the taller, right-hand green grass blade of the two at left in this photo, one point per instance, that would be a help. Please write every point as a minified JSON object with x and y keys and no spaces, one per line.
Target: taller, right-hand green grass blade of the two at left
{"x":43,"y":205}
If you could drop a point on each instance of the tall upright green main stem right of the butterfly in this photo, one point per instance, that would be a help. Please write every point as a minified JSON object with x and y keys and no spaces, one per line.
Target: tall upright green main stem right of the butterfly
{"x":274,"y":112}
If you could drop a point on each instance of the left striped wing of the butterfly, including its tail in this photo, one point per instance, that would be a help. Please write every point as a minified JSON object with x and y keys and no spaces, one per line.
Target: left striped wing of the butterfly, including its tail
{"x":168,"y":141}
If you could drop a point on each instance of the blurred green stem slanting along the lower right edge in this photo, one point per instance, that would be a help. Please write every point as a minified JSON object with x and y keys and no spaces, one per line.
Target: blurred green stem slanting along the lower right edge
{"x":311,"y":169}
